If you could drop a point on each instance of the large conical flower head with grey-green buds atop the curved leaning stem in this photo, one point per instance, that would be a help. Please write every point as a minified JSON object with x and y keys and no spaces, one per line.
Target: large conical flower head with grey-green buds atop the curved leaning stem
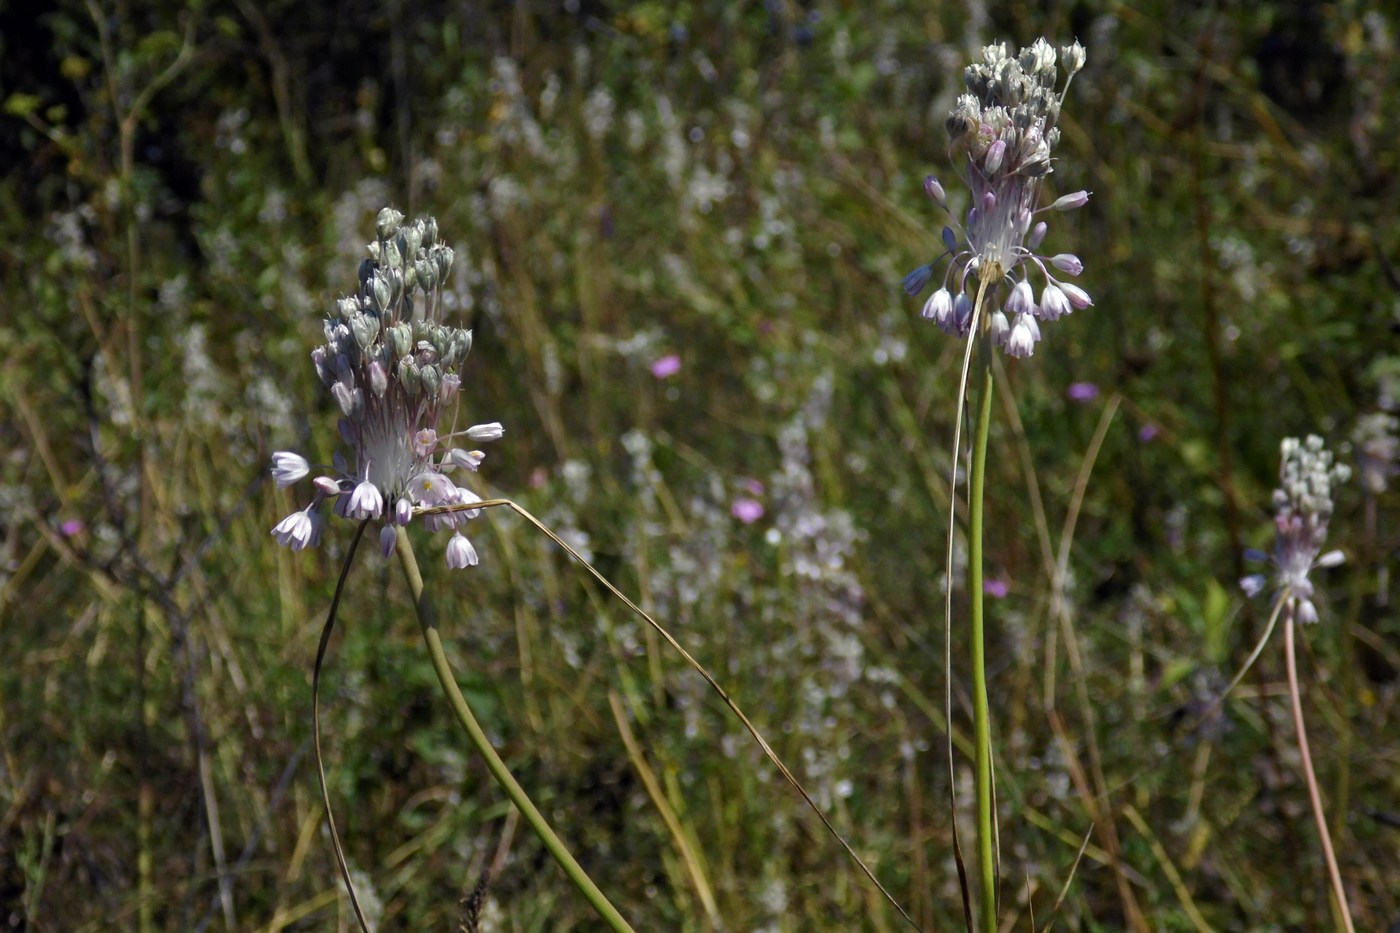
{"x":393,"y":368}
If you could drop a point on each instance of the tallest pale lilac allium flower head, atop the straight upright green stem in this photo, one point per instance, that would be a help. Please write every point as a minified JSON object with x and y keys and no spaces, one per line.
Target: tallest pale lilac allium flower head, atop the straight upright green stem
{"x":1002,"y":137}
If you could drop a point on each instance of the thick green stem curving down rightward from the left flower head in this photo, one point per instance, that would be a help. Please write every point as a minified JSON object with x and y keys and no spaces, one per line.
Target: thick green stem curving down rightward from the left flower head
{"x":500,"y":773}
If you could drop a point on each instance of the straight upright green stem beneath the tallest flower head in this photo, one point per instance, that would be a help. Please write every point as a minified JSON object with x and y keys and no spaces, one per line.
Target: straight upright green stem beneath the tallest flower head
{"x":982,"y":717}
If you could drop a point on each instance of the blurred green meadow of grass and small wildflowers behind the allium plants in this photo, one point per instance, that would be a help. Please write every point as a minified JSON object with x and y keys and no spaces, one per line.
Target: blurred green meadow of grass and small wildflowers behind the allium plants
{"x":188,"y":187}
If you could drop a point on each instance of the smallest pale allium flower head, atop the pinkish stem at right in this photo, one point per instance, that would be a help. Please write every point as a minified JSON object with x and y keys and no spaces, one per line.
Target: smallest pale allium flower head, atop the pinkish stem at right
{"x":1303,"y":509}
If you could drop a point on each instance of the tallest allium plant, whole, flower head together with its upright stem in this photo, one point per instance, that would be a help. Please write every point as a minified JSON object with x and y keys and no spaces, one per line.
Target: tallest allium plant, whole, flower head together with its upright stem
{"x":1003,"y":134}
